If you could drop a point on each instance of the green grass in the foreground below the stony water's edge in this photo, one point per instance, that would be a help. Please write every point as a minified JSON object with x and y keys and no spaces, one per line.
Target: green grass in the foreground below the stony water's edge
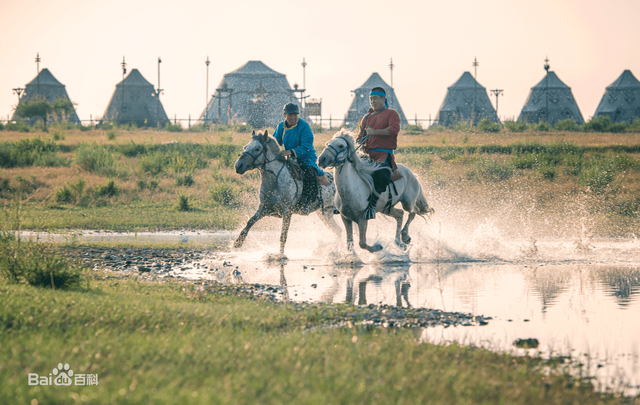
{"x":168,"y":343}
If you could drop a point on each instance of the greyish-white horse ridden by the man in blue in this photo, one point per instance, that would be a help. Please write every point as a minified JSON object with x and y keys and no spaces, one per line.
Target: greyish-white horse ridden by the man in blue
{"x":279,"y":190}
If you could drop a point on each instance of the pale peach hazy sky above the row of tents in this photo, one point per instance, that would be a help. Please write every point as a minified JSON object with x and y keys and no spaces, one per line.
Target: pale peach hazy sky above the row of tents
{"x":589,"y":43}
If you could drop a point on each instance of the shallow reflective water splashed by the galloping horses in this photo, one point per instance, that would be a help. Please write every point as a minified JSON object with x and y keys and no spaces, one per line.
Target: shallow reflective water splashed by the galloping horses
{"x":578,"y":297}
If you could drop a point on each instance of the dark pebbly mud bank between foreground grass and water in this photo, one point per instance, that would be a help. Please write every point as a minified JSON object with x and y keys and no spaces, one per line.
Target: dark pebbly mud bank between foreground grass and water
{"x":160,"y":265}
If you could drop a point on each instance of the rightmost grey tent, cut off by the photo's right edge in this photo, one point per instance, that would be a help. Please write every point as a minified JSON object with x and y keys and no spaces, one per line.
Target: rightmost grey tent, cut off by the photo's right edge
{"x":621,"y":101}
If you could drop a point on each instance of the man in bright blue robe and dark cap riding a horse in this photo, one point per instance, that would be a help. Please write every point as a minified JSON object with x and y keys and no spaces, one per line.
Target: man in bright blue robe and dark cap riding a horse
{"x":296,"y":136}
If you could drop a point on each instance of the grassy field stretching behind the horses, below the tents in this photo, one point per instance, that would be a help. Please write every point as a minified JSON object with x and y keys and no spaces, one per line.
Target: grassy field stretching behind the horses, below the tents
{"x":151,"y":180}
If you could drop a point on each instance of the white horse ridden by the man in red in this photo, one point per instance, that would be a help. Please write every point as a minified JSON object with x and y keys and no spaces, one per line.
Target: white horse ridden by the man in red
{"x":353,"y":175}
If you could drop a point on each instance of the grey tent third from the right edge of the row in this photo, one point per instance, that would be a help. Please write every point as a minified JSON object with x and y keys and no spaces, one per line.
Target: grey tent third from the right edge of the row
{"x":463,"y":98}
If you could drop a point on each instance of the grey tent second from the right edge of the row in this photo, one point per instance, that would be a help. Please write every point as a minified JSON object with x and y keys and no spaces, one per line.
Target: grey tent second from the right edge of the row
{"x":561,"y":104}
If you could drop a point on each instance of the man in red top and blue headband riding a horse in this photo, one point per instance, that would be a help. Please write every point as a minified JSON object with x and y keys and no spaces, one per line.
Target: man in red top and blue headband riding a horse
{"x":380,"y":127}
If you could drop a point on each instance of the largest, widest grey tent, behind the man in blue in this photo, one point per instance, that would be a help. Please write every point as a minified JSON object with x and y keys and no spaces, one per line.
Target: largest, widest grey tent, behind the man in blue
{"x":254,"y":93}
